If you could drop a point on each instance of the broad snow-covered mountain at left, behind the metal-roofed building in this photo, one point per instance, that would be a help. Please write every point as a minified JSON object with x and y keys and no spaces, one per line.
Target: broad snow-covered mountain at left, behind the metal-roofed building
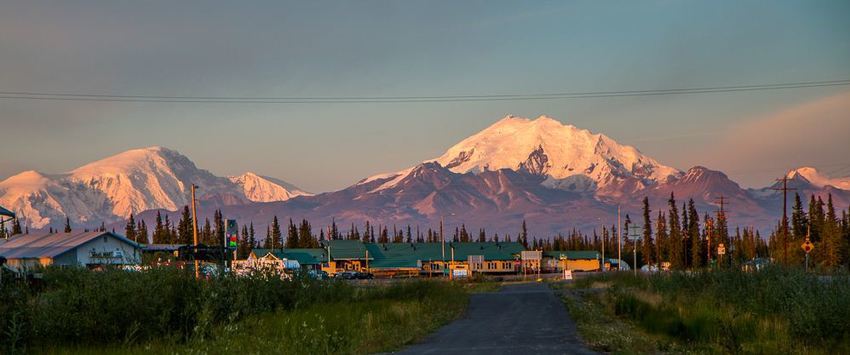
{"x":126,"y":183}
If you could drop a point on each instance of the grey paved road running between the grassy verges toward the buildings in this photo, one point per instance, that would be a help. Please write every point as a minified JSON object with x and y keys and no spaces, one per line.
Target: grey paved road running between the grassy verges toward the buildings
{"x":520,"y":319}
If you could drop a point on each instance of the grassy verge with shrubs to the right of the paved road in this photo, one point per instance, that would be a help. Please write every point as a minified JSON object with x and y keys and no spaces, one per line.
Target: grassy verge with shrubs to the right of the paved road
{"x":772,"y":311}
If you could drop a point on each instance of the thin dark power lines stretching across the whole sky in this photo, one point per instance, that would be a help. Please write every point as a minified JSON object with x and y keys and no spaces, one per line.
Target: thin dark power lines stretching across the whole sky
{"x":68,"y":96}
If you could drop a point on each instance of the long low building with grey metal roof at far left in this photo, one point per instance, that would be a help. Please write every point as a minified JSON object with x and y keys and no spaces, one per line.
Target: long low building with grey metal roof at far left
{"x":84,"y":249}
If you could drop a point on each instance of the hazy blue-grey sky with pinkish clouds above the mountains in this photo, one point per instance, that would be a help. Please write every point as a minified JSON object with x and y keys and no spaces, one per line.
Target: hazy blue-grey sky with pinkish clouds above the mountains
{"x":421,"y":48}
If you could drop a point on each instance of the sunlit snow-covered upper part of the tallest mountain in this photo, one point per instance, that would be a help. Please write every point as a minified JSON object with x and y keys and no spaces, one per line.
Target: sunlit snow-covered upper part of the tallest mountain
{"x":567,"y":157}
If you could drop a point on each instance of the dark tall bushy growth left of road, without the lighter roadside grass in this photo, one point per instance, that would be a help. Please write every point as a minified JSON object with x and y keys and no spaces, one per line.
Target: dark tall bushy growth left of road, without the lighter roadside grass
{"x":74,"y":306}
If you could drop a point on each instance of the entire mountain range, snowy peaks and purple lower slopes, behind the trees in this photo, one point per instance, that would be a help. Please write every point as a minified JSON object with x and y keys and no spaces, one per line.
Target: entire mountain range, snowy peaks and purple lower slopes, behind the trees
{"x":556,"y":177}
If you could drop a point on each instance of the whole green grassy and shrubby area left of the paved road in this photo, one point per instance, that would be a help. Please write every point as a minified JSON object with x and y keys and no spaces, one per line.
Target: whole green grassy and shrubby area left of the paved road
{"x":167,"y":311}
